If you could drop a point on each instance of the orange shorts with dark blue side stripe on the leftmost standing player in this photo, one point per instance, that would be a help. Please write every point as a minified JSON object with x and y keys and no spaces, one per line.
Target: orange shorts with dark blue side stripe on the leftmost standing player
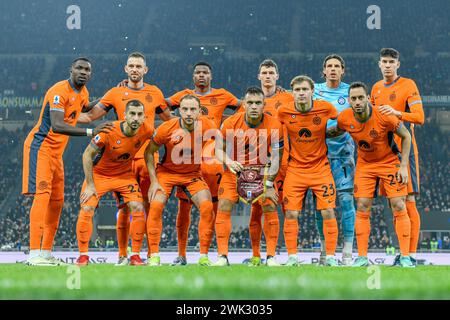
{"x":42,"y":173}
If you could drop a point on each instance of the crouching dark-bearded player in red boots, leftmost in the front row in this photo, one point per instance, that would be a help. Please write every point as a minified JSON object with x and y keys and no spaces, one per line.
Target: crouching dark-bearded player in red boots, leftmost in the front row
{"x":107,"y":168}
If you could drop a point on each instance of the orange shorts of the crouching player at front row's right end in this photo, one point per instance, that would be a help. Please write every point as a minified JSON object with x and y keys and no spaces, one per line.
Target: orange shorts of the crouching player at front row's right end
{"x":369,"y":176}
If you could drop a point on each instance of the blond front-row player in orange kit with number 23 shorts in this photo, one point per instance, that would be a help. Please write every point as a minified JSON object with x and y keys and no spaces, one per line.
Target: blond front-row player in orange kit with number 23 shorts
{"x":308,"y":167}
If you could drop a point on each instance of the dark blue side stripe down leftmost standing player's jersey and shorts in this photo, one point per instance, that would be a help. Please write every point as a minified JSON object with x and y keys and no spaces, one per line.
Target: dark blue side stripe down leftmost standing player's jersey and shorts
{"x":38,"y":139}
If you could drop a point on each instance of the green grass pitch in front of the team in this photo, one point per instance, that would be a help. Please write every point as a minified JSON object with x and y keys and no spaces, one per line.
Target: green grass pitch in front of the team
{"x":236,"y":282}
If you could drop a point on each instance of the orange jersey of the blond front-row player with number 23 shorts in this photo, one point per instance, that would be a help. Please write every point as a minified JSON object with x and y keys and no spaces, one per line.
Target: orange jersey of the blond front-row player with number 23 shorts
{"x":307,"y":134}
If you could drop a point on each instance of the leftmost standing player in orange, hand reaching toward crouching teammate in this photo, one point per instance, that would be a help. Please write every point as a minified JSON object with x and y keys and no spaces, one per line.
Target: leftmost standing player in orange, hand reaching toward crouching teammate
{"x":43,"y":168}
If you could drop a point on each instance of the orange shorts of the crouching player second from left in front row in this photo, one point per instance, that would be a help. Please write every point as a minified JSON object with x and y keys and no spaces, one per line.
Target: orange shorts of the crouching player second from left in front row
{"x":190,"y":183}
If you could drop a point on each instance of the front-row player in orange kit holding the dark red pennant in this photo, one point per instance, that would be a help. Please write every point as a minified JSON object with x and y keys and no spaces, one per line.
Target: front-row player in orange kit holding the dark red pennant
{"x":248,"y":139}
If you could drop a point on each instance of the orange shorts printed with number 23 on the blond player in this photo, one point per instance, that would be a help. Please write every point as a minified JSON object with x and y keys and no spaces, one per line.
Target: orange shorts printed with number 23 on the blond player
{"x":297,"y":184}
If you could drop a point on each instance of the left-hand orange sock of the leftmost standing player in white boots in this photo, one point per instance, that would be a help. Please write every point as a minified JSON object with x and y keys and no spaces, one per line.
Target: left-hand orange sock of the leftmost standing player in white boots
{"x":37,"y":213}
